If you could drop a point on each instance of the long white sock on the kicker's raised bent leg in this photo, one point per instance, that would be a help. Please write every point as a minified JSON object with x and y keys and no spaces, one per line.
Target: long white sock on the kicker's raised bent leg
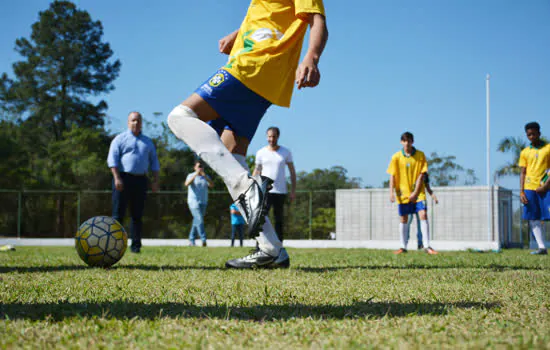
{"x":204,"y":141}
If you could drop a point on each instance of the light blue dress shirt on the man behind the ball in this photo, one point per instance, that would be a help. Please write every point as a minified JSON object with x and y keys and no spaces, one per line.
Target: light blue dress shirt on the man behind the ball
{"x":133,"y":154}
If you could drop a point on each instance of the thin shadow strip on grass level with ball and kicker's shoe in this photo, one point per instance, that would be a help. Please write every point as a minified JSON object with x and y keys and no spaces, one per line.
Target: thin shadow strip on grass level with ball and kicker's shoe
{"x":143,"y":267}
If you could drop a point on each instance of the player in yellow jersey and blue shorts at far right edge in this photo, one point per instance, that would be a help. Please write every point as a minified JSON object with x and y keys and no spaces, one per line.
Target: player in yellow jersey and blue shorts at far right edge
{"x":534,"y":162}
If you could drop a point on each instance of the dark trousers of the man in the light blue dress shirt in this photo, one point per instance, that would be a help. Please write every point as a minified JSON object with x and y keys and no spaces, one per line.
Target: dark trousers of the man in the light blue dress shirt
{"x":134,"y":192}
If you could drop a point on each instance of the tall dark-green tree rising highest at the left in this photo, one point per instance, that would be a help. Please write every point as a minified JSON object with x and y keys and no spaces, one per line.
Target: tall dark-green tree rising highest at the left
{"x":65,"y":62}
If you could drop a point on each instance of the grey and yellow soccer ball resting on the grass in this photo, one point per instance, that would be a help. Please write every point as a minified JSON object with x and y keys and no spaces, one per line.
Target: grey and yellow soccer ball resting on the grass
{"x":101,"y":241}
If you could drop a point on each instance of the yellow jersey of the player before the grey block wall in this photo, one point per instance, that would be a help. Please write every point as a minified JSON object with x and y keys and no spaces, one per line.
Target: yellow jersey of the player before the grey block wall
{"x":406,"y":170}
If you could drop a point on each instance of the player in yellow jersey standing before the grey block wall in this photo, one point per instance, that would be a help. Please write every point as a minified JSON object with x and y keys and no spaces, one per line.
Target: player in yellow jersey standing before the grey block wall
{"x":407,"y":170}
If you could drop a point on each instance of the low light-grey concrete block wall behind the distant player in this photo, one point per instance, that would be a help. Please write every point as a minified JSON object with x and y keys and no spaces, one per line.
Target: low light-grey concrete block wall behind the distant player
{"x":461,"y":215}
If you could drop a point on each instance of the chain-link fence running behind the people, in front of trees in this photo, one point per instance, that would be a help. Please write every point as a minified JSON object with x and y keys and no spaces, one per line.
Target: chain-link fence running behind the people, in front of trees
{"x":312,"y":215}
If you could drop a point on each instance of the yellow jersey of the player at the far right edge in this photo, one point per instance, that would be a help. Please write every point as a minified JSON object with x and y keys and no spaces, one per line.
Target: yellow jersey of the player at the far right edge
{"x":537,"y":162}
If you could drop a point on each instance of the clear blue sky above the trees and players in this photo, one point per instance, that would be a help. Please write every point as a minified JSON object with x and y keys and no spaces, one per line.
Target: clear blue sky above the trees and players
{"x":389,"y":66}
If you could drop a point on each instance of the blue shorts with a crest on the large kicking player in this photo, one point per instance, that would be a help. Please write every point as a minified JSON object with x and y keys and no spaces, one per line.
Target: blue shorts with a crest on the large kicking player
{"x":240,"y":109}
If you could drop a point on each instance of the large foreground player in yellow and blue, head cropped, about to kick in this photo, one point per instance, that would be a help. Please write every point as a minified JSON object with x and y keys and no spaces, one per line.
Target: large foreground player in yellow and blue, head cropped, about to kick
{"x":262,"y":70}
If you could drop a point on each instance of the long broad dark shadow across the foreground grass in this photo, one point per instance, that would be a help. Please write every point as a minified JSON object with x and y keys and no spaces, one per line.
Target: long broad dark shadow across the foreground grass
{"x":129,"y":310}
